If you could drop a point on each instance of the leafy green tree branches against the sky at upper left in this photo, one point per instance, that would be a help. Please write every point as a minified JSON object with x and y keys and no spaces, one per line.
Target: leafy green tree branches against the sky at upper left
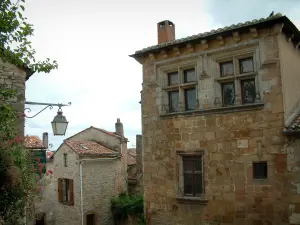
{"x":15,"y":32}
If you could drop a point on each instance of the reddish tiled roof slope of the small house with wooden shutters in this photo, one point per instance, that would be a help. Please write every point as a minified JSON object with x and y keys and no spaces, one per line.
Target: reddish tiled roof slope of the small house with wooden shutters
{"x":90,"y":148}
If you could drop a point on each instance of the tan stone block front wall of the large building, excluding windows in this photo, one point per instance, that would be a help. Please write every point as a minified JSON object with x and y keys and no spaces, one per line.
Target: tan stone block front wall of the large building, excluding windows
{"x":234,"y":197}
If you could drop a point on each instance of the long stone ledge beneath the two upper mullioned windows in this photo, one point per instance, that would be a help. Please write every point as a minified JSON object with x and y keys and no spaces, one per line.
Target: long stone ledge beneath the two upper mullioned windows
{"x":229,"y":109}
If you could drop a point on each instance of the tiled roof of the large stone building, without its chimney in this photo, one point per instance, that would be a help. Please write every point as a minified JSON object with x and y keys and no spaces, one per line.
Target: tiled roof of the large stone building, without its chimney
{"x":211,"y":33}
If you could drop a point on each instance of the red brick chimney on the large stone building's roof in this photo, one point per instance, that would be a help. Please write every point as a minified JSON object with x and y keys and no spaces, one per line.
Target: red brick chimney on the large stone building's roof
{"x":165,"y":31}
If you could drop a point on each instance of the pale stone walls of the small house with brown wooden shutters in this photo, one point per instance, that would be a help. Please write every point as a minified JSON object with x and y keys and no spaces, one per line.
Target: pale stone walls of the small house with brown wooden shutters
{"x":100,"y":180}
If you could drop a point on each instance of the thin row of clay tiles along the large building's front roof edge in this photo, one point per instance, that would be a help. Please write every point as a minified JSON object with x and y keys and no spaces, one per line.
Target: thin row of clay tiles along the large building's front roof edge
{"x":211,"y":32}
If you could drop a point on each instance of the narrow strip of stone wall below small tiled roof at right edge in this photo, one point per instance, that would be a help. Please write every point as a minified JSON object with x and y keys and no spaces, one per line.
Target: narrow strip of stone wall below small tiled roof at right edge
{"x":293,"y":166}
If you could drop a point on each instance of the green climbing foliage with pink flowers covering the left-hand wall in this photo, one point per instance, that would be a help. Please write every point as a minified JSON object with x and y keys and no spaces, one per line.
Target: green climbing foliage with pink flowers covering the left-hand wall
{"x":18,"y":181}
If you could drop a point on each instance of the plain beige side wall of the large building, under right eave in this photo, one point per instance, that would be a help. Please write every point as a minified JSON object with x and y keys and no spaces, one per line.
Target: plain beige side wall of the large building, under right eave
{"x":289,"y":56}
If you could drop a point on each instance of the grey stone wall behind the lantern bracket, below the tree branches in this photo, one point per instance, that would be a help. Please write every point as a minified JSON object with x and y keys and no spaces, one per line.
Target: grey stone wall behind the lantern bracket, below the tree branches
{"x":14,"y":78}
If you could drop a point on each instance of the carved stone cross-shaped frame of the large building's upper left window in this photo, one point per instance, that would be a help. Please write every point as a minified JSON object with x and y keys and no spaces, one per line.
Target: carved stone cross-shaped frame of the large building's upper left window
{"x":162,"y":80}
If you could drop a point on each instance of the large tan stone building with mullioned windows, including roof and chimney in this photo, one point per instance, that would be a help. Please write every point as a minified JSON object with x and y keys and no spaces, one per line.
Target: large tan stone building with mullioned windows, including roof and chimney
{"x":214,"y":108}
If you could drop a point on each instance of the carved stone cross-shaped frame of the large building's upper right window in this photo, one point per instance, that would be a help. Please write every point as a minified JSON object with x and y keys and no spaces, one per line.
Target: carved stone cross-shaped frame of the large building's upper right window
{"x":237,"y":77}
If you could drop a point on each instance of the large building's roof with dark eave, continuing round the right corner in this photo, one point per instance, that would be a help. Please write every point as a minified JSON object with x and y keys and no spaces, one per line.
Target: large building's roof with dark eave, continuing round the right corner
{"x":223,"y":31}
